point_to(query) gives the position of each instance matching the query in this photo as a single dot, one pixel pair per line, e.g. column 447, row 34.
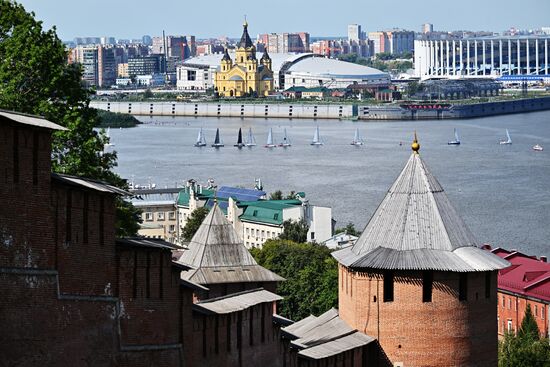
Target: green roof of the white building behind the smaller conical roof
column 266, row 211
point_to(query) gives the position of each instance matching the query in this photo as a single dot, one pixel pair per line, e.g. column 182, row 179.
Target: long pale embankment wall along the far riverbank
column 409, row 111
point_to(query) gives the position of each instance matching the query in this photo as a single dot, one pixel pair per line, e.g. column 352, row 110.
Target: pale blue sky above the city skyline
column 215, row 18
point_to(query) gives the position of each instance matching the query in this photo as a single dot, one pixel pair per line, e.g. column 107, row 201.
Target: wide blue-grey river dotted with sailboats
column 501, row 191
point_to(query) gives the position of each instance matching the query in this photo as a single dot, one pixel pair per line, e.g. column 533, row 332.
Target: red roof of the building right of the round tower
column 527, row 276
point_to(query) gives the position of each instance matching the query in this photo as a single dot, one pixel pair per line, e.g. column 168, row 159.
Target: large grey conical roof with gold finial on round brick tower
column 417, row 228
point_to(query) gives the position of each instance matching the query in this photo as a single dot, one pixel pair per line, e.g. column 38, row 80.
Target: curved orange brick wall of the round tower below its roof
column 443, row 332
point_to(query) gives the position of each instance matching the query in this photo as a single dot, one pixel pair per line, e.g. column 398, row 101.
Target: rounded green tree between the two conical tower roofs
column 311, row 274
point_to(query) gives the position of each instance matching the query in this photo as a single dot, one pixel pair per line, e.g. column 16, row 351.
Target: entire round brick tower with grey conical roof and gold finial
column 416, row 280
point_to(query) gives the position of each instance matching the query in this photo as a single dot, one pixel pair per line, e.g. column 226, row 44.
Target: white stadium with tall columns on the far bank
column 482, row 56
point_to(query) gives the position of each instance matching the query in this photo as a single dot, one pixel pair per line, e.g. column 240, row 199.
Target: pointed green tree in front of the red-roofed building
column 527, row 348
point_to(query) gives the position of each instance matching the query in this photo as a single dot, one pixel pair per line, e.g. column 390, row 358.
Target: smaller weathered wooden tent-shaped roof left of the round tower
column 217, row 255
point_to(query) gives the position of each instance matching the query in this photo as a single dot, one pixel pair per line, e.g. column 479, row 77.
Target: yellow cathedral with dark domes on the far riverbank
column 244, row 77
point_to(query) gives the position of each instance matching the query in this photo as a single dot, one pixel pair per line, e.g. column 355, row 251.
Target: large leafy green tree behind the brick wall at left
column 35, row 78
